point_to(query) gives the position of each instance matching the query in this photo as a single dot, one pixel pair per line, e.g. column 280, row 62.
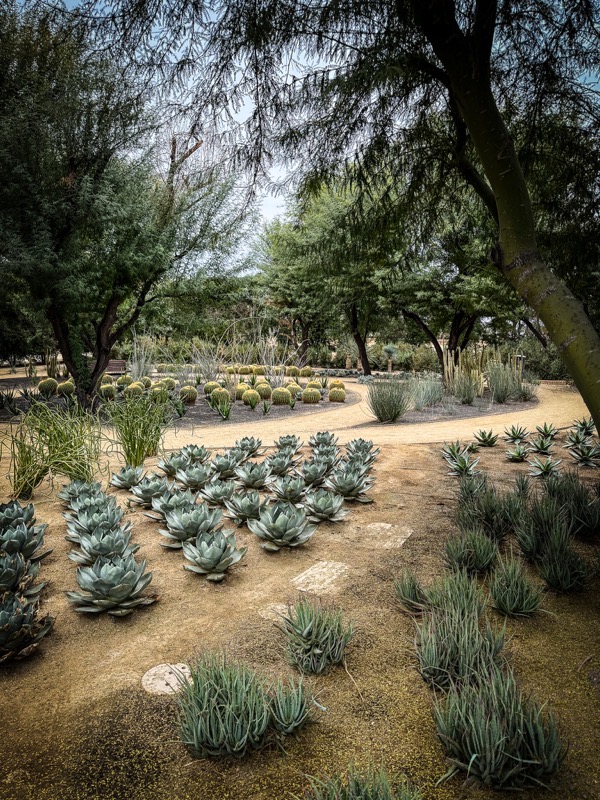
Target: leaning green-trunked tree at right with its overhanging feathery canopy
column 374, row 79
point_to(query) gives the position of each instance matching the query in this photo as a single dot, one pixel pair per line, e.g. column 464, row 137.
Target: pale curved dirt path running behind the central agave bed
column 558, row 404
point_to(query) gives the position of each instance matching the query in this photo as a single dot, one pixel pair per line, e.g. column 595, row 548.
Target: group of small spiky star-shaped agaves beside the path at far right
column 578, row 442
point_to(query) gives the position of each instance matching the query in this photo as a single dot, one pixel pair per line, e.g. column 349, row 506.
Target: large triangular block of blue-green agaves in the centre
column 299, row 495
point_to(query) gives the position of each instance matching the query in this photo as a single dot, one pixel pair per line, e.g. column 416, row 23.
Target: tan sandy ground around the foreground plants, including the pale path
column 76, row 724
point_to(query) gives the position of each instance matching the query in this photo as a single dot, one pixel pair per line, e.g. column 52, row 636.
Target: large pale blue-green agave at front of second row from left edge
column 114, row 585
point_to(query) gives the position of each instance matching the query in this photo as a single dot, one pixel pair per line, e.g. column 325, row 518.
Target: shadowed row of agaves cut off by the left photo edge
column 22, row 627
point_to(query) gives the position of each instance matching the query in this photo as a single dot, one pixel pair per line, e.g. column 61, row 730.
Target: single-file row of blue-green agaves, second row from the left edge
column 108, row 574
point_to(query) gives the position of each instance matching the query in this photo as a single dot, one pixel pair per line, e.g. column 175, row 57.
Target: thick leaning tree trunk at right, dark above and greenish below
column 466, row 61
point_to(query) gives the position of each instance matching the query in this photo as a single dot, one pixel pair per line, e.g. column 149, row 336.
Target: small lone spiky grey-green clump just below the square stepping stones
column 317, row 635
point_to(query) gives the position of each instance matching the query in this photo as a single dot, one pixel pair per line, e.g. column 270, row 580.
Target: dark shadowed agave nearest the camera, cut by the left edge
column 21, row 630
